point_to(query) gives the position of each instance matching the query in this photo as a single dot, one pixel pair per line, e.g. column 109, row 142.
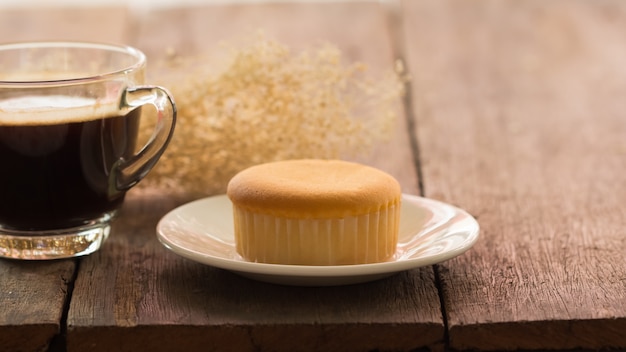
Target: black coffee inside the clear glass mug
column 57, row 173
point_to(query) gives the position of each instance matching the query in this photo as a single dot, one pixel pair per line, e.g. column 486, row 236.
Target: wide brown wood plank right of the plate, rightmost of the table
column 520, row 120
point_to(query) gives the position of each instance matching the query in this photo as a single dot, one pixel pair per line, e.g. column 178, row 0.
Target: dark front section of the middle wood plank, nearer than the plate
column 135, row 294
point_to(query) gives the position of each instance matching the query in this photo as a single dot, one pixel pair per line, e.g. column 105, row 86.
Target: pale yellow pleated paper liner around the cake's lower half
column 368, row 238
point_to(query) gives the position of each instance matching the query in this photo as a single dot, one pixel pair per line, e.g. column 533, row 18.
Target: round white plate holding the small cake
column 430, row 232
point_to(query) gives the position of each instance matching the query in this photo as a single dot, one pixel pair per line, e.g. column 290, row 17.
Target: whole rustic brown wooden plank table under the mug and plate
column 516, row 112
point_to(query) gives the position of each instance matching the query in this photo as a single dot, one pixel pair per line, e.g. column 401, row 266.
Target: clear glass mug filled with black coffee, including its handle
column 69, row 124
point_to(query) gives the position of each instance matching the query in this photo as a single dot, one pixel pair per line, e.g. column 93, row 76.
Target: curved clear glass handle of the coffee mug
column 130, row 171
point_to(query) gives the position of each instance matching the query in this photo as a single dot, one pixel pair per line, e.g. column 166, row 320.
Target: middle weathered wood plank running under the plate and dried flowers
column 136, row 294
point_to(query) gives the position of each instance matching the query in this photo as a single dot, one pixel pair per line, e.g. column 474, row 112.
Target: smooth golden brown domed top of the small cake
column 313, row 188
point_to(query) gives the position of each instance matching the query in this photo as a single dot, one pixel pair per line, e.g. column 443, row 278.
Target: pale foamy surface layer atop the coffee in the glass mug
column 52, row 109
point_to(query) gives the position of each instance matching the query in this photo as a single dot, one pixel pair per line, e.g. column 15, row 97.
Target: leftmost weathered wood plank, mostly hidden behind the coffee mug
column 34, row 294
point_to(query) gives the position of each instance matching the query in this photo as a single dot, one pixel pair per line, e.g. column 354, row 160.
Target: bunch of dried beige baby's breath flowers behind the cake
column 267, row 103
